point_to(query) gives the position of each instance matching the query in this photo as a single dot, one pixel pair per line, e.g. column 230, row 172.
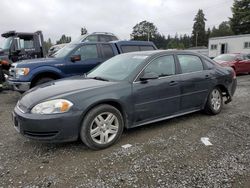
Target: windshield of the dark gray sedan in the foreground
column 118, row 68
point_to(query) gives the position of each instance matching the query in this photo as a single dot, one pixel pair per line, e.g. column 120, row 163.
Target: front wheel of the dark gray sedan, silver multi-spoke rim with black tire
column 101, row 127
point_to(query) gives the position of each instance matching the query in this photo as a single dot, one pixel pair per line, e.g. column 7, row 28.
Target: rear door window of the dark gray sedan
column 190, row 63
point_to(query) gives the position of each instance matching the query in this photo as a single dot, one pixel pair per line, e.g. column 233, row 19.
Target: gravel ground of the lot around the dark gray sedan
column 165, row 154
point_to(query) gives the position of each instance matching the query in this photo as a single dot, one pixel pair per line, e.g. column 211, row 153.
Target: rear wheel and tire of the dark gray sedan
column 214, row 102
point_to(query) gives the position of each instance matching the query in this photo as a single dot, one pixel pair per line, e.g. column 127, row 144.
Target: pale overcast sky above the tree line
column 57, row 17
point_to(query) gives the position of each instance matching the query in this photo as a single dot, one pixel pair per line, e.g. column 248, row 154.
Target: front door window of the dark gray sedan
column 162, row 66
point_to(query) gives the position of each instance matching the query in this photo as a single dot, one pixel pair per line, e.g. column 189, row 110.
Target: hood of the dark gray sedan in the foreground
column 59, row 89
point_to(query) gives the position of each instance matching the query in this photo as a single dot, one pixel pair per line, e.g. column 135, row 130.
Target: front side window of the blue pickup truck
column 87, row 52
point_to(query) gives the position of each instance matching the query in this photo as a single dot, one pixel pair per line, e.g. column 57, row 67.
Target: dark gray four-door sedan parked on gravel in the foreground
column 128, row 90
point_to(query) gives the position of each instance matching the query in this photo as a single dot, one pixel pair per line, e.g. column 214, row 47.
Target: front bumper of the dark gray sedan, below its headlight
column 48, row 128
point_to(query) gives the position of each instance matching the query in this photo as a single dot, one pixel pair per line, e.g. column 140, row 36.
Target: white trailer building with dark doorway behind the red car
column 229, row 44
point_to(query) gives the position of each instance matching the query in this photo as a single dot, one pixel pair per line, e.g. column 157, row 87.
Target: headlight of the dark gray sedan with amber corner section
column 52, row 107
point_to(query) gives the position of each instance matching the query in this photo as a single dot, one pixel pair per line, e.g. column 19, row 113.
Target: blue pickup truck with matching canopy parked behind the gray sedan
column 73, row 59
